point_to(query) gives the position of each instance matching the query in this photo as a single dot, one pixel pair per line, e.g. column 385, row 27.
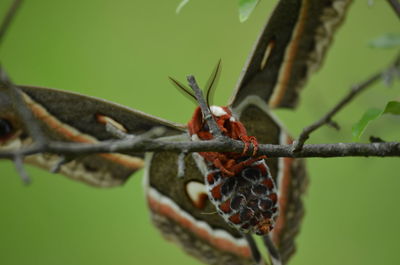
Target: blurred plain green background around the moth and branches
column 123, row 51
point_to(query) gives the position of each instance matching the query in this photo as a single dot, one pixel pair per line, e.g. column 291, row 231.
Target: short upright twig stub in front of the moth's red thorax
column 214, row 129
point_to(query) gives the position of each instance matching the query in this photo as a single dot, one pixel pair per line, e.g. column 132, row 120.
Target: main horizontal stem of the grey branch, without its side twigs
column 154, row 145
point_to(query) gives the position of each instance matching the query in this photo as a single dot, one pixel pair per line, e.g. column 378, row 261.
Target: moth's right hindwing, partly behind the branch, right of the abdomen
column 289, row 174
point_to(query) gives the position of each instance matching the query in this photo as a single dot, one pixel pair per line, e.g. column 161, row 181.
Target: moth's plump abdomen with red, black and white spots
column 247, row 200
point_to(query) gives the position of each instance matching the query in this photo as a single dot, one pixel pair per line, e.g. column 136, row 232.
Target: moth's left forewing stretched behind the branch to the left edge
column 71, row 117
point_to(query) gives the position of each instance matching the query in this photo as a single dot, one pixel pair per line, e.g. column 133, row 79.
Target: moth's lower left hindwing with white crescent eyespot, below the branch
column 181, row 210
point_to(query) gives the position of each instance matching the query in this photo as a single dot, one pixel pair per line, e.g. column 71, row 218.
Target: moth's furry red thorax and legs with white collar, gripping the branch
column 230, row 127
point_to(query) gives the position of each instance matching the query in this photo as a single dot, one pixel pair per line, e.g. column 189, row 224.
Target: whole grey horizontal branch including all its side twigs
column 147, row 143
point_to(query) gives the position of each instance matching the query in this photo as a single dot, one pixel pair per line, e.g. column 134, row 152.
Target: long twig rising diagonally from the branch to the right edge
column 327, row 118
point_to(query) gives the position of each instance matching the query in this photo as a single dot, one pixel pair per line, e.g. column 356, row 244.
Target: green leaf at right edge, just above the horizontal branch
column 392, row 107
